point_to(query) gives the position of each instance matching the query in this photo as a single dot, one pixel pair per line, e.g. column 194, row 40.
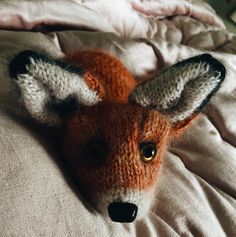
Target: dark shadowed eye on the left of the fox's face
column 95, row 152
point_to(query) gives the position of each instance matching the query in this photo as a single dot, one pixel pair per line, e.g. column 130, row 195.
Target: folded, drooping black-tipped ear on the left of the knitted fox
column 48, row 86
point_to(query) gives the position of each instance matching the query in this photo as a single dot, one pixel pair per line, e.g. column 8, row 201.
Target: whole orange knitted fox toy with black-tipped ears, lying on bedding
column 117, row 136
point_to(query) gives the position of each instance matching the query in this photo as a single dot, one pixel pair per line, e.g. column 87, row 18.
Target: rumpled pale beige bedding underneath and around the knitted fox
column 196, row 194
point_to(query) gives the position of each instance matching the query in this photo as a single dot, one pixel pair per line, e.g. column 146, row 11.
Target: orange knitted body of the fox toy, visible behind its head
column 105, row 74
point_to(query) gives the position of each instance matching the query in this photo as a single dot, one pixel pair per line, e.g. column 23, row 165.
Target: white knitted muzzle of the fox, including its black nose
column 120, row 204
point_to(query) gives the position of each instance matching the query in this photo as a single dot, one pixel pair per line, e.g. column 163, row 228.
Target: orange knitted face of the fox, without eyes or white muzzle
column 123, row 127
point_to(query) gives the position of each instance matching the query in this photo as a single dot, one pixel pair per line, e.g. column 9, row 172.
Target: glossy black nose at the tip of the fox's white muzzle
column 122, row 211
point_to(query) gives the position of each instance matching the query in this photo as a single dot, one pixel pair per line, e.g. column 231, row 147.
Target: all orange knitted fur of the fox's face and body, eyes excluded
column 124, row 126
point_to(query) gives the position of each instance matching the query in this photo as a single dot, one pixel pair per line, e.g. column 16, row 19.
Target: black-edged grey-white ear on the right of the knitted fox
column 182, row 89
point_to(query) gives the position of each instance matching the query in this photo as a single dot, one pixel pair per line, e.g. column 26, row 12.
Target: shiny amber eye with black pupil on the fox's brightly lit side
column 148, row 151
